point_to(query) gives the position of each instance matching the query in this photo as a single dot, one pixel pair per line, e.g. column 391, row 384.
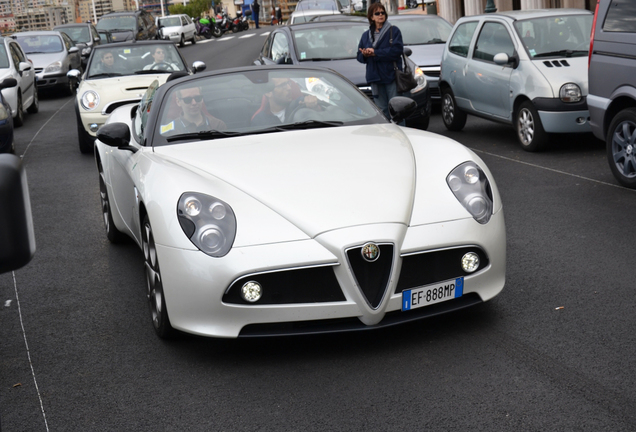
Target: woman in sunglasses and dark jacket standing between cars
column 380, row 48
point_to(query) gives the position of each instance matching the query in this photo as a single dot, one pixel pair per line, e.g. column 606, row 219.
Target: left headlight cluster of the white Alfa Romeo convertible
column 208, row 222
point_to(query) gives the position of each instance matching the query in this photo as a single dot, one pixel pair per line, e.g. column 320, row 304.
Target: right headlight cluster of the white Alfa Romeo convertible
column 471, row 187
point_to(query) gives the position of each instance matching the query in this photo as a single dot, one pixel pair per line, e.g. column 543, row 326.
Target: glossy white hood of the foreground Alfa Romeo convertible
column 369, row 180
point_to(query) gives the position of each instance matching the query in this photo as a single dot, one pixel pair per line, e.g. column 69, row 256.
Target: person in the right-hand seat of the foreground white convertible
column 279, row 104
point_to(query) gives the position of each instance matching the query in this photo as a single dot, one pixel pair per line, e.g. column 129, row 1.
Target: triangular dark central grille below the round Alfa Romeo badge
column 372, row 277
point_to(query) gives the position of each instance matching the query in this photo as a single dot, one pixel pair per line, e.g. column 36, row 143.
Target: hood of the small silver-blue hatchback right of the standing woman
column 559, row 71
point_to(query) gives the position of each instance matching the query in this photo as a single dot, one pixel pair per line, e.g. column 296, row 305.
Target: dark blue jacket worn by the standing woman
column 388, row 50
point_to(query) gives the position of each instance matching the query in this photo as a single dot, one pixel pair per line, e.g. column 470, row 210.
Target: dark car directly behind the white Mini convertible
column 128, row 25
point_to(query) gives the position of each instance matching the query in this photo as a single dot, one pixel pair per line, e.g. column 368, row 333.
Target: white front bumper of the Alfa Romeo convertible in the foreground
column 195, row 284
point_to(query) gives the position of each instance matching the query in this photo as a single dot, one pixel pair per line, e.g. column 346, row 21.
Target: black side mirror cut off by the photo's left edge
column 17, row 237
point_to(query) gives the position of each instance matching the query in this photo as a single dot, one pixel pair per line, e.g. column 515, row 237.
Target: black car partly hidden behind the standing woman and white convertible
column 334, row 44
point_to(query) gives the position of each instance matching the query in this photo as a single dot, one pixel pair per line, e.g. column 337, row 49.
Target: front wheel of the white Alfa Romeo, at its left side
column 154, row 285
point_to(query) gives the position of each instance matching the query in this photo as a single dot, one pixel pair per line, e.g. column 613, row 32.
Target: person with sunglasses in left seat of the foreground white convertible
column 193, row 117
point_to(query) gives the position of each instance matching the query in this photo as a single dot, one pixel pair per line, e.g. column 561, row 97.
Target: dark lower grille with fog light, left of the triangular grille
column 306, row 285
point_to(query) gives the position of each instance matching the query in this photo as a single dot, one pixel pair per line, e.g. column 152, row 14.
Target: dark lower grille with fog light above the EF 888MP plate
column 429, row 267
